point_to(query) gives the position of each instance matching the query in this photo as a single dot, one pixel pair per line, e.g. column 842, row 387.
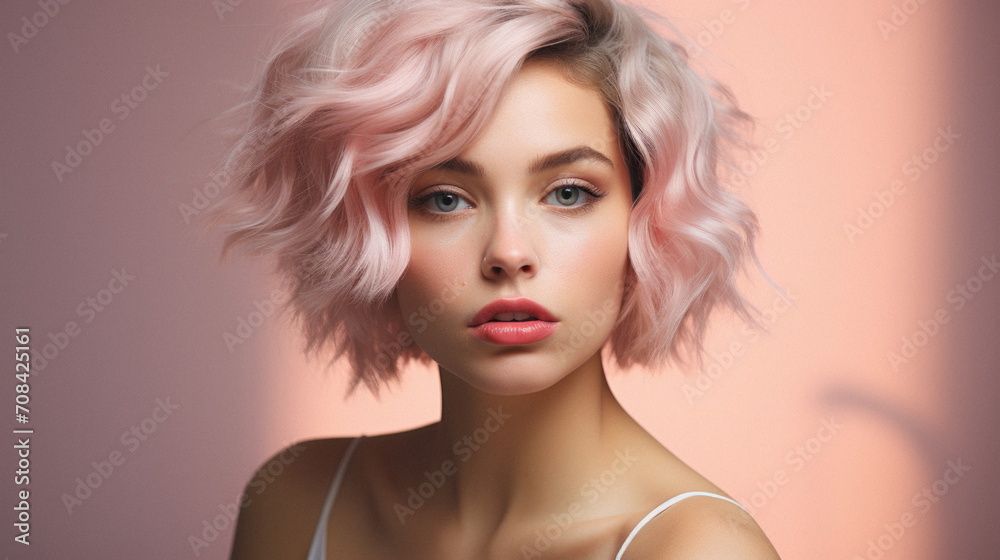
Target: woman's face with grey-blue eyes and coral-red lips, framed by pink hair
column 536, row 208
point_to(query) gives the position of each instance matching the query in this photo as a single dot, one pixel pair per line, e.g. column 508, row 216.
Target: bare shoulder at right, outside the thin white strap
column 702, row 528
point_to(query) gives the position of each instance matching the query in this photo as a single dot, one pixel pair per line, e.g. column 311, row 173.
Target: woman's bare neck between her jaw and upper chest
column 526, row 453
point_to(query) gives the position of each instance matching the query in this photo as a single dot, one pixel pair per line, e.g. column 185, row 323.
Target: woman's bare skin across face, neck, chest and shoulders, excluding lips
column 567, row 459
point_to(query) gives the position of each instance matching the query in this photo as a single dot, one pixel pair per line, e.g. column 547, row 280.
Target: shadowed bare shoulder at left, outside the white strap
column 282, row 501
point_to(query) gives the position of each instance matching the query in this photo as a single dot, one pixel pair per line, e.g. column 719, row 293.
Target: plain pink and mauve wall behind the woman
column 753, row 426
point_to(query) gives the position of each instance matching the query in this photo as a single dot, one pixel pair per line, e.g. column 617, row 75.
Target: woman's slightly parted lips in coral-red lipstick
column 513, row 322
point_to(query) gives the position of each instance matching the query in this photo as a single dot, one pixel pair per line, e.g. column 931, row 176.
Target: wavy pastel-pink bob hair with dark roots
column 359, row 96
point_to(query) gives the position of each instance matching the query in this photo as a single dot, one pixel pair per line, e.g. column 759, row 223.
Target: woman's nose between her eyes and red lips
column 509, row 252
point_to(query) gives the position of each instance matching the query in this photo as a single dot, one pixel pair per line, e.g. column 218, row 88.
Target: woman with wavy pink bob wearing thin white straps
column 505, row 188
